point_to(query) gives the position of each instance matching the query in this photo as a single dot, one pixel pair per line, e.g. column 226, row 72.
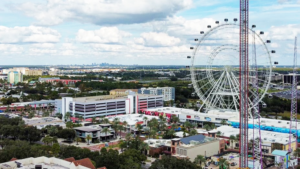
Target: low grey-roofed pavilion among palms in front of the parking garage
column 95, row 132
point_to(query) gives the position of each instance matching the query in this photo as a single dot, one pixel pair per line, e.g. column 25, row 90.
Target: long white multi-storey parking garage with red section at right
column 96, row 106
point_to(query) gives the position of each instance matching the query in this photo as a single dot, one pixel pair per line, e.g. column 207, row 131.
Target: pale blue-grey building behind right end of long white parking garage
column 167, row 92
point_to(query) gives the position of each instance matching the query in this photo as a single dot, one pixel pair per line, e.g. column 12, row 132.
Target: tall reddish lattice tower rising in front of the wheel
column 244, row 80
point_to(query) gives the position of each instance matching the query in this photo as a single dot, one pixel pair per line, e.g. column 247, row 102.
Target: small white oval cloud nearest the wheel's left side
column 157, row 39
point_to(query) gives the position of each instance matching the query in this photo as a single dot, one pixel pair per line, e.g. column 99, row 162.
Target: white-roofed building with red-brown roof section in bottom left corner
column 45, row 162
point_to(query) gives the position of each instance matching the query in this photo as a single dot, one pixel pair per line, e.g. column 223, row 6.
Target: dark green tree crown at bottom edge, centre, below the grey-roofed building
column 174, row 163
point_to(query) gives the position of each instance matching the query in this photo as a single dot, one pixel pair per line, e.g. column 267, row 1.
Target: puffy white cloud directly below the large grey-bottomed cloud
column 103, row 35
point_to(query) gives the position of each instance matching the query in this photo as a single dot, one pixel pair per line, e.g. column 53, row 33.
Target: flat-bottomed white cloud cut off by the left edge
column 31, row 34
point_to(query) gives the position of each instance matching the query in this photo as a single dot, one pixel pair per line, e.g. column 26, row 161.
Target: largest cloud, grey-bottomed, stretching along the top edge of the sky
column 107, row 12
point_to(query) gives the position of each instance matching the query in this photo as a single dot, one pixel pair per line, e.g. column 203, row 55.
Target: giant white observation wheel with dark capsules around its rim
column 215, row 67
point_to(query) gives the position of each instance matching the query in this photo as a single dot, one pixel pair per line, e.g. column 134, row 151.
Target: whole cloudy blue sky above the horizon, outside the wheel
column 144, row 32
